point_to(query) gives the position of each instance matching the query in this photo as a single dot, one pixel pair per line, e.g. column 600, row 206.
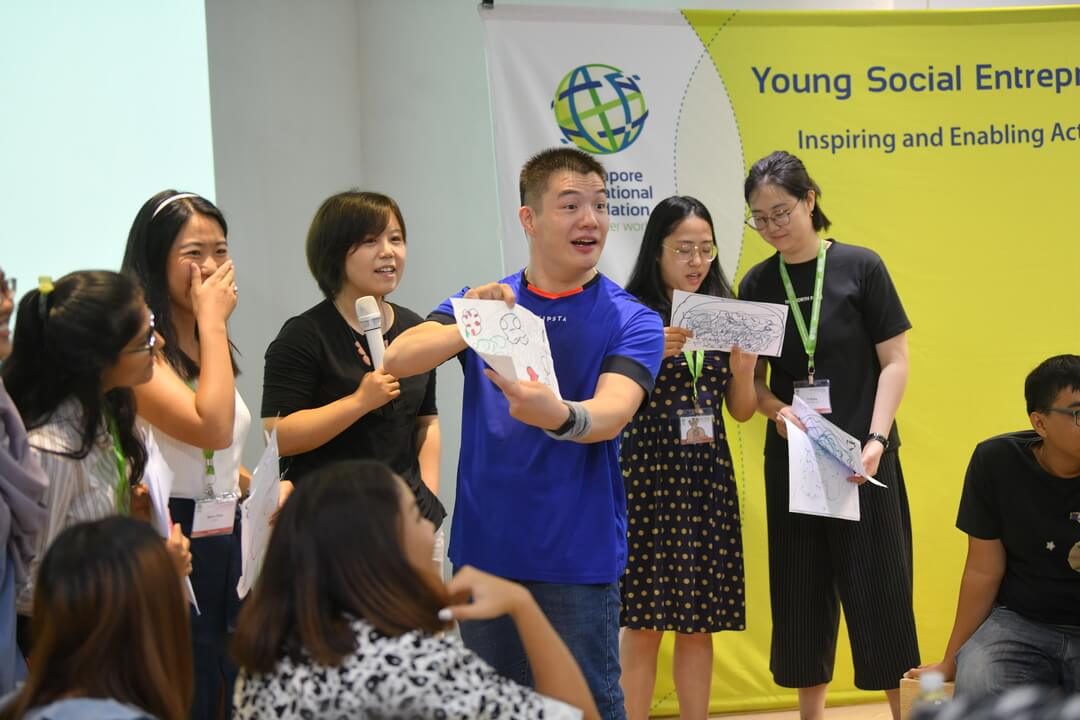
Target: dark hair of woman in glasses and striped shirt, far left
column 65, row 341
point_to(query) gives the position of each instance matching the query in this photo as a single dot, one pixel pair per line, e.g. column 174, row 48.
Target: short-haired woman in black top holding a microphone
column 320, row 390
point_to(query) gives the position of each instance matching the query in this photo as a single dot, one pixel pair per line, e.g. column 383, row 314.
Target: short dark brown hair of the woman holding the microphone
column 341, row 223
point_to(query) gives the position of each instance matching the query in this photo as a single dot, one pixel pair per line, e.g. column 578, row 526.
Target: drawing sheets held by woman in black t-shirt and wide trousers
column 820, row 463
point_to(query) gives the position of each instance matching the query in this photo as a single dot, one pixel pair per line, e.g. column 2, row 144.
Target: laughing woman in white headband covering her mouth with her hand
column 179, row 252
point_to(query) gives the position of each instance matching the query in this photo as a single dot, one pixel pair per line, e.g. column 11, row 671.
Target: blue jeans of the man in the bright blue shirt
column 586, row 617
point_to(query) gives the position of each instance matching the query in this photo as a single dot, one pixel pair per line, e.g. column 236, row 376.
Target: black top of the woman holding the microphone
column 314, row 362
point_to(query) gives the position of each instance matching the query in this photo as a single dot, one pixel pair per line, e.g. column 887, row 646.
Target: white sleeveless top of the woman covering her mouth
column 188, row 465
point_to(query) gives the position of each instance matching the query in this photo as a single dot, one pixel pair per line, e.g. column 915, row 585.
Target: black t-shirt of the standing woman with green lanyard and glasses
column 860, row 308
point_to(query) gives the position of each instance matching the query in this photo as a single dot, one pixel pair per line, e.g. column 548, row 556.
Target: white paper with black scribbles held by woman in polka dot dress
column 722, row 323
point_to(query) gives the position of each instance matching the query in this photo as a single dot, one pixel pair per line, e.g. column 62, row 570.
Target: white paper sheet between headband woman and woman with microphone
column 256, row 514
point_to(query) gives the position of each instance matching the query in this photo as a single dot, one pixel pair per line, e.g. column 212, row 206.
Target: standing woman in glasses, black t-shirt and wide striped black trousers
column 846, row 356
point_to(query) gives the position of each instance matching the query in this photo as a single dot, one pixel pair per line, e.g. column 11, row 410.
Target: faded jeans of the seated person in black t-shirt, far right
column 1008, row 650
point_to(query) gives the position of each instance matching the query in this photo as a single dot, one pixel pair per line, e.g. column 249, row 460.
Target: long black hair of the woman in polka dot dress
column 646, row 282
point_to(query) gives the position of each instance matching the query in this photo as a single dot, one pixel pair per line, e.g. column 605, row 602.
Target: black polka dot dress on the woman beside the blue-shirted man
column 685, row 566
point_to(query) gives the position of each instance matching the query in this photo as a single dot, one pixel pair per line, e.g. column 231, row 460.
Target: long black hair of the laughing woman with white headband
column 146, row 259
